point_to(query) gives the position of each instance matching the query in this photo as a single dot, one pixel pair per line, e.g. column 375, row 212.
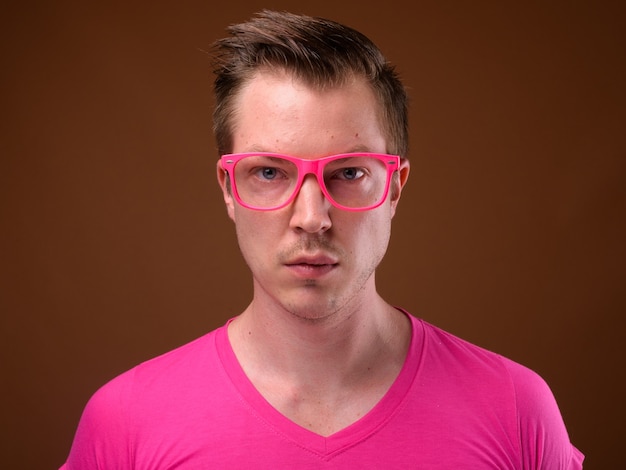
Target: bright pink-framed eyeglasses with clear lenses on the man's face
column 351, row 181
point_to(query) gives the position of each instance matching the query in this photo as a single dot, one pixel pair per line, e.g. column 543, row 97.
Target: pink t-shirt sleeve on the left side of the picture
column 102, row 437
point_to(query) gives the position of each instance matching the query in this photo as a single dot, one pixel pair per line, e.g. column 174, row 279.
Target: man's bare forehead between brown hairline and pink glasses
column 278, row 112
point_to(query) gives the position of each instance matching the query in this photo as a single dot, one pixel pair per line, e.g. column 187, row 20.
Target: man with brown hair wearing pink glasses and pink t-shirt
column 319, row 371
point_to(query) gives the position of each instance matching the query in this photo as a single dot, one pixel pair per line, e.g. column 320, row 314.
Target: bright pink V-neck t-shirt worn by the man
column 453, row 406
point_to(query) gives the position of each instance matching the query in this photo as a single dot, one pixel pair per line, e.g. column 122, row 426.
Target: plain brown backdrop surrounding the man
column 115, row 245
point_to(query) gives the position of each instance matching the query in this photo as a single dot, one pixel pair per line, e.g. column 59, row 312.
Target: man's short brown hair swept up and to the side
column 316, row 50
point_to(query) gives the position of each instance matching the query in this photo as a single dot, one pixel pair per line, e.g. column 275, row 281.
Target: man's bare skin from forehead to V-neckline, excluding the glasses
column 317, row 340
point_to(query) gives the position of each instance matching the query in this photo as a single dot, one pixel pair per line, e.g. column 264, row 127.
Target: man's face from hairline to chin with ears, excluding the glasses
column 310, row 258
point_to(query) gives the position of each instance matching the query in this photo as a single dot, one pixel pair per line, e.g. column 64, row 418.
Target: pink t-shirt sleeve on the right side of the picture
column 544, row 440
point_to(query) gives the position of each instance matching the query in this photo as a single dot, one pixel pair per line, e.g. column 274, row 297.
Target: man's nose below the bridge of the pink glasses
column 310, row 208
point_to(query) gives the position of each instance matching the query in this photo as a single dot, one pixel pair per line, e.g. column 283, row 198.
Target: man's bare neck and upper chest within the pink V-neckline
column 325, row 373
